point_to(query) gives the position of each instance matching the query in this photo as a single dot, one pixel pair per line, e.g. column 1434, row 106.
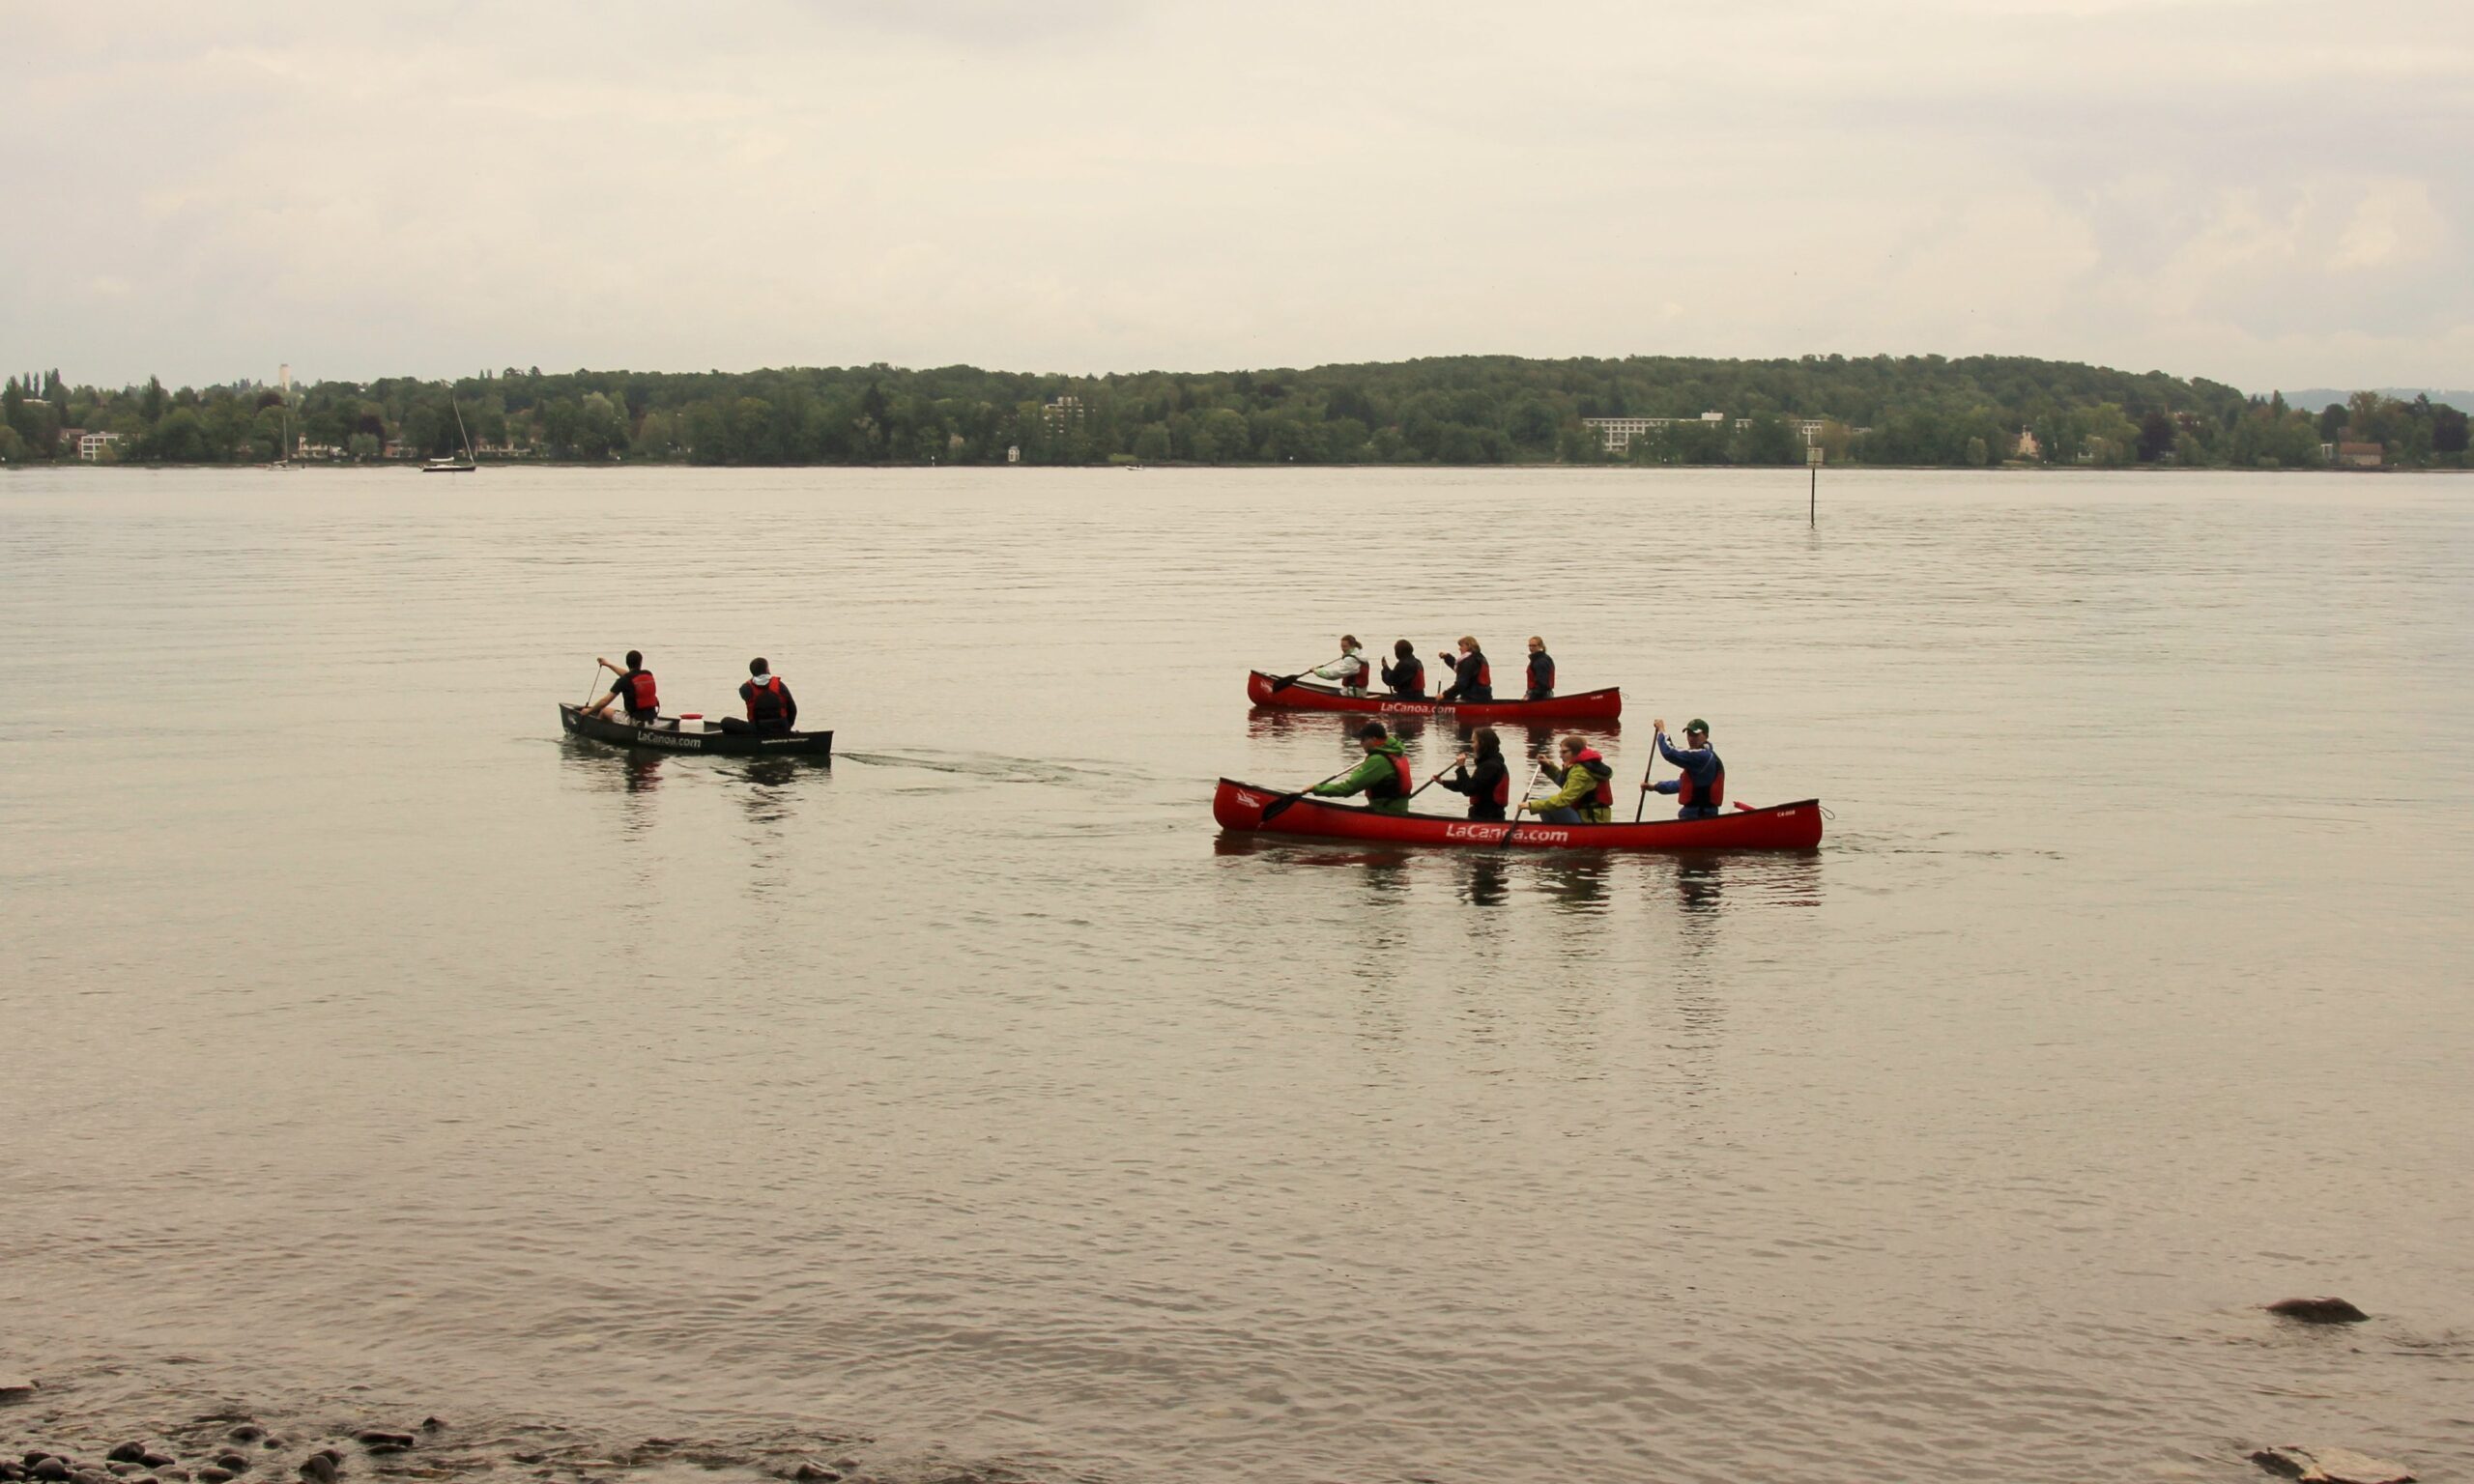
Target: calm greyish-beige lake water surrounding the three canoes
column 976, row 1097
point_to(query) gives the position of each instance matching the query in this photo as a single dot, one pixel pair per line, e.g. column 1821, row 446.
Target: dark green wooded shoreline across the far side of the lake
column 1453, row 409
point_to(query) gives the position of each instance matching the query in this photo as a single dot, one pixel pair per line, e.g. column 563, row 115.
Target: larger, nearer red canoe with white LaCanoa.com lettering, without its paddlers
column 1783, row 827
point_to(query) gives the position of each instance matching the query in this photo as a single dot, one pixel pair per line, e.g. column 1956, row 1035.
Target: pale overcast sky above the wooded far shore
column 2243, row 189
